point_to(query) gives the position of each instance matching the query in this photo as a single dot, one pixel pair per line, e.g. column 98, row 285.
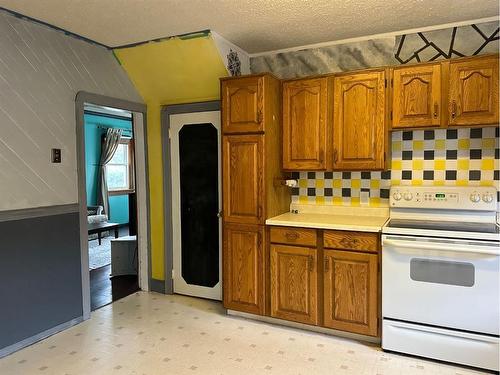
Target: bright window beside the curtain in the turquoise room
column 119, row 170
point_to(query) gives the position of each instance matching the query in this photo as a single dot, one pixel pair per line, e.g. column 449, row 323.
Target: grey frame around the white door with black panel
column 166, row 111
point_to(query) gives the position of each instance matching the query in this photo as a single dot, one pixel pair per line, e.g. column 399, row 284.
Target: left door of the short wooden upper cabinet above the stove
column 416, row 99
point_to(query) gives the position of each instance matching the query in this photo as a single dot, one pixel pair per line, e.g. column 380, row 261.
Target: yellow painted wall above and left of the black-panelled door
column 172, row 71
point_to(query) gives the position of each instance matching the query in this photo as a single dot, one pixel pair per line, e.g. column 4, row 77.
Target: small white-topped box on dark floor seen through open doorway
column 124, row 256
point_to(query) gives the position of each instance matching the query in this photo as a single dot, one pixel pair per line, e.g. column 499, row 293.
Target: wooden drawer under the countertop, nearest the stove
column 361, row 241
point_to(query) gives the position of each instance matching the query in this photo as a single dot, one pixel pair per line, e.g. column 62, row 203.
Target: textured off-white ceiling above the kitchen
column 254, row 25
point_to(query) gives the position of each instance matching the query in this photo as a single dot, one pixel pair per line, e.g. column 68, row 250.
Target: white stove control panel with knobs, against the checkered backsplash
column 459, row 198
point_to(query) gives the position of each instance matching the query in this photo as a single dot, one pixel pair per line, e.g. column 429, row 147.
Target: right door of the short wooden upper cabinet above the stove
column 473, row 98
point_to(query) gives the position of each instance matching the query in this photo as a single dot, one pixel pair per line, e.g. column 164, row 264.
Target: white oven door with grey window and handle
column 441, row 282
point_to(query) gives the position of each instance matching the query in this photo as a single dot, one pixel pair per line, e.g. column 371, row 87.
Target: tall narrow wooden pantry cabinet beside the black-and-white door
column 251, row 161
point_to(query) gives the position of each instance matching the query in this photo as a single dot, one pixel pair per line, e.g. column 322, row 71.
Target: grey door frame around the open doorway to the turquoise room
column 139, row 112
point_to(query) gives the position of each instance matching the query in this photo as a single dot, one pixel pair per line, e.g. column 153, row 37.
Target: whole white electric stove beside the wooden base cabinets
column 440, row 275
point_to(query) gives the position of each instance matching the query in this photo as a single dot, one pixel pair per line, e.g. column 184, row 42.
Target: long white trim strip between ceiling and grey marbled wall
column 376, row 36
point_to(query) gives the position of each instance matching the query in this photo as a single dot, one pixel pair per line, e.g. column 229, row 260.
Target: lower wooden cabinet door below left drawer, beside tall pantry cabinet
column 294, row 284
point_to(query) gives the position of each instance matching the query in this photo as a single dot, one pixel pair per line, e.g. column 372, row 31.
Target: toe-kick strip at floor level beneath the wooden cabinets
column 307, row 327
